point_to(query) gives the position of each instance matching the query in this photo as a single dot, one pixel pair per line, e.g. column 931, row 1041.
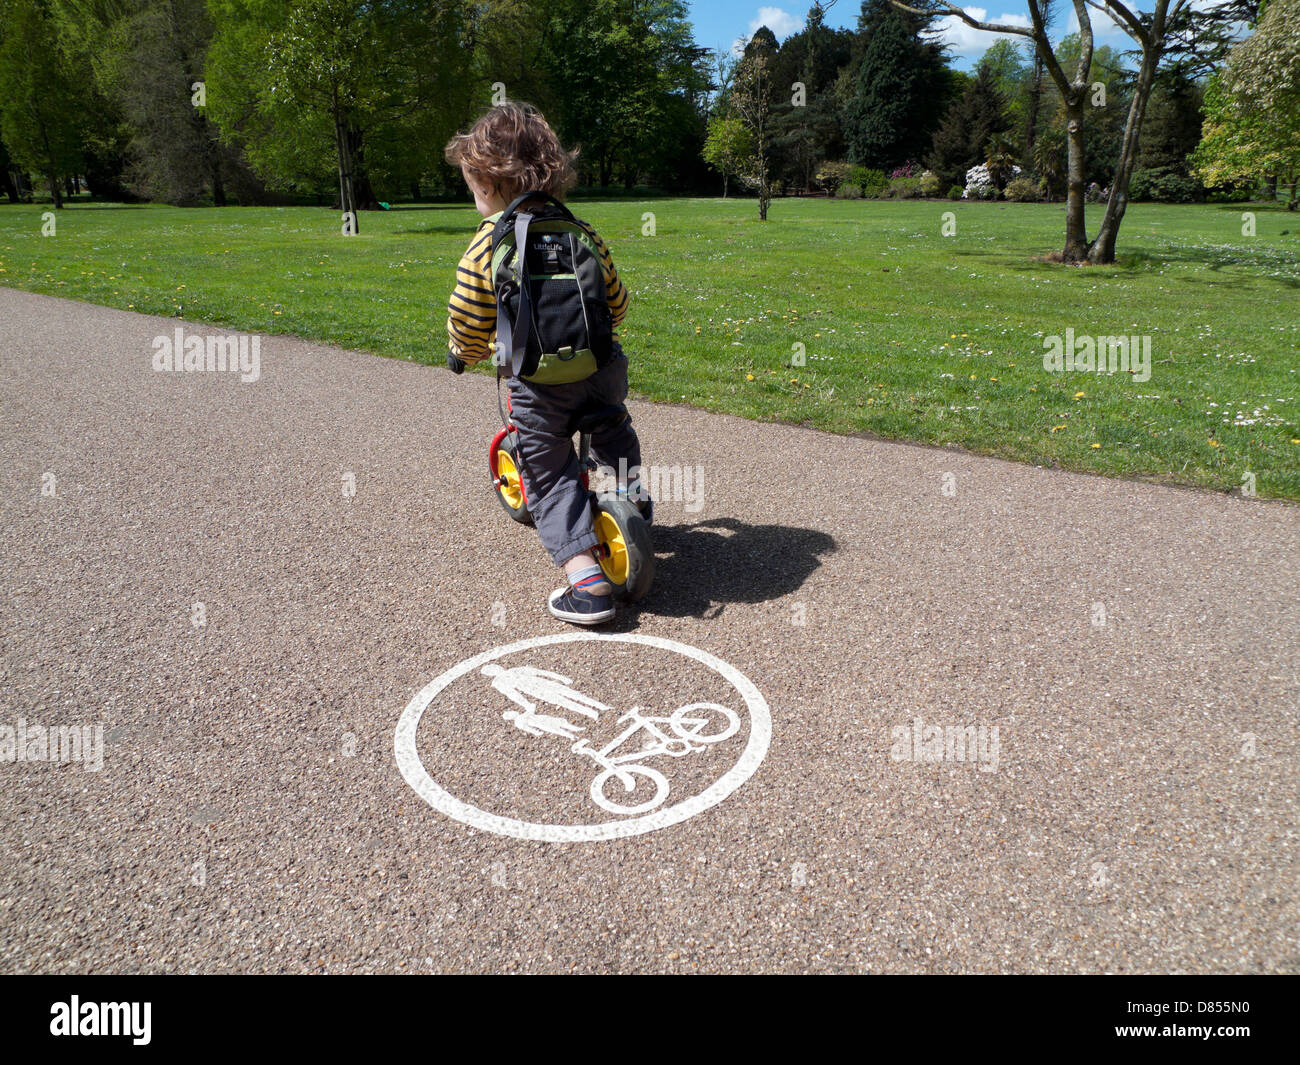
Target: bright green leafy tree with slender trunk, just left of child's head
column 366, row 90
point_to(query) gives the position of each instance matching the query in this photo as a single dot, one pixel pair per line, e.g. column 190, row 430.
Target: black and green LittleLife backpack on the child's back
column 553, row 318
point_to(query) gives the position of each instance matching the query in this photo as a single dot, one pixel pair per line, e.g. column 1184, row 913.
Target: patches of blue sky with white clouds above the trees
column 721, row 23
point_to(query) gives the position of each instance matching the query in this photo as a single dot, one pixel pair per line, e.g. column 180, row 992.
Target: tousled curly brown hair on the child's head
column 513, row 149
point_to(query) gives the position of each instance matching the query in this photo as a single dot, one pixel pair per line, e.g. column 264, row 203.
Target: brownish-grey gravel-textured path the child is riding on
column 1117, row 668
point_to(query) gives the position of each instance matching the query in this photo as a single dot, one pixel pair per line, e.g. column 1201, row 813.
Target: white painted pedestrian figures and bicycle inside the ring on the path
column 690, row 729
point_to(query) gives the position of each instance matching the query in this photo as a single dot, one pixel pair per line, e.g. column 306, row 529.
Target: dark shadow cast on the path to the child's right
column 703, row 568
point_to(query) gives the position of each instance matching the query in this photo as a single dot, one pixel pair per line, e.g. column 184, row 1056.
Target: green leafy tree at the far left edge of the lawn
column 45, row 110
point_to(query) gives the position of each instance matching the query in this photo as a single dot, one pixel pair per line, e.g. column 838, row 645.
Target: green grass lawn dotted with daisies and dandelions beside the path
column 908, row 334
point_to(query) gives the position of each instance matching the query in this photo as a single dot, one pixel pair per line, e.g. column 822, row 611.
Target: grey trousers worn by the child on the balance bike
column 545, row 415
